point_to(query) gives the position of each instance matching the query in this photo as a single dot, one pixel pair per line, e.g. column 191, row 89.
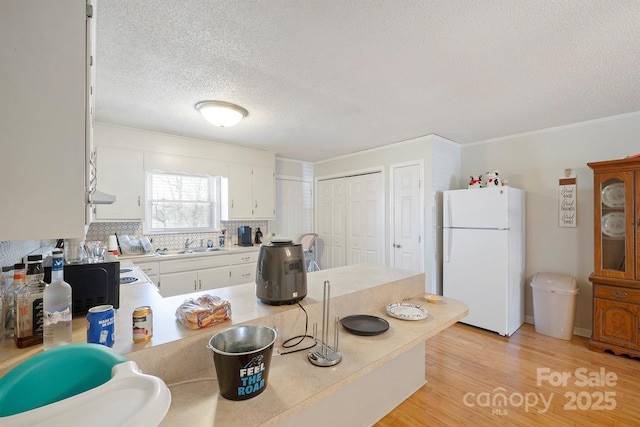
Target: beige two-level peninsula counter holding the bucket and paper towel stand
column 389, row 366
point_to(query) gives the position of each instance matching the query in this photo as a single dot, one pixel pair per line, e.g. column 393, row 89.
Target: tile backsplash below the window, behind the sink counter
column 102, row 230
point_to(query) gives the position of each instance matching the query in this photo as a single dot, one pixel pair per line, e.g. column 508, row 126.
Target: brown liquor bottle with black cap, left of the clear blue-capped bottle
column 29, row 303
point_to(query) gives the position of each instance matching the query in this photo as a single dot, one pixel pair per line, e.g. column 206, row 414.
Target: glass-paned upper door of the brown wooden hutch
column 614, row 225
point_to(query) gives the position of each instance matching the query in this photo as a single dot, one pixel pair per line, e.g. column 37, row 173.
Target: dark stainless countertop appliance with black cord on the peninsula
column 281, row 277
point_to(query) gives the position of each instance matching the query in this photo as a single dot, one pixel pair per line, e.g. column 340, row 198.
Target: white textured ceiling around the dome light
column 323, row 78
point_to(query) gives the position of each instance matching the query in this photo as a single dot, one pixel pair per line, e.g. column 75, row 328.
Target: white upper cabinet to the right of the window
column 251, row 193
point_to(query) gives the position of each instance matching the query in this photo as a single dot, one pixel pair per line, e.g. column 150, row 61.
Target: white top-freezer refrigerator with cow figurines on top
column 483, row 255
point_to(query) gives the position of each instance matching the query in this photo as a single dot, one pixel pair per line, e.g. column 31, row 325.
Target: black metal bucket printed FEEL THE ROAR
column 242, row 356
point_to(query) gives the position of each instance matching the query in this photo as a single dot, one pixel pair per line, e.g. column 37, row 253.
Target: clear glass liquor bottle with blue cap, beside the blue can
column 57, row 306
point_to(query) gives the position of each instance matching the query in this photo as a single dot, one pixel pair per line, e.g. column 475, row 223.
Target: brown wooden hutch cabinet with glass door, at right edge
column 616, row 276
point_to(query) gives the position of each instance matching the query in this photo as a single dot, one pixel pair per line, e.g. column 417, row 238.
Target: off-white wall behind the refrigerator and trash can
column 534, row 162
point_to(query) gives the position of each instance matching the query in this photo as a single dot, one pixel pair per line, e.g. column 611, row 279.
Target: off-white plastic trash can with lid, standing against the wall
column 554, row 304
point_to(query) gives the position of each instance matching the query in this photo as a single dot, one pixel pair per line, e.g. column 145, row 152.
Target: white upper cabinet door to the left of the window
column 120, row 172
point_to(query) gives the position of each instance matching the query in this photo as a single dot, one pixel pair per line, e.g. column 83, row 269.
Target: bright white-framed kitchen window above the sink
column 182, row 203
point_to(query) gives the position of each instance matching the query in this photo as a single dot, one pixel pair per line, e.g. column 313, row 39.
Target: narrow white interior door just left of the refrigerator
column 407, row 219
